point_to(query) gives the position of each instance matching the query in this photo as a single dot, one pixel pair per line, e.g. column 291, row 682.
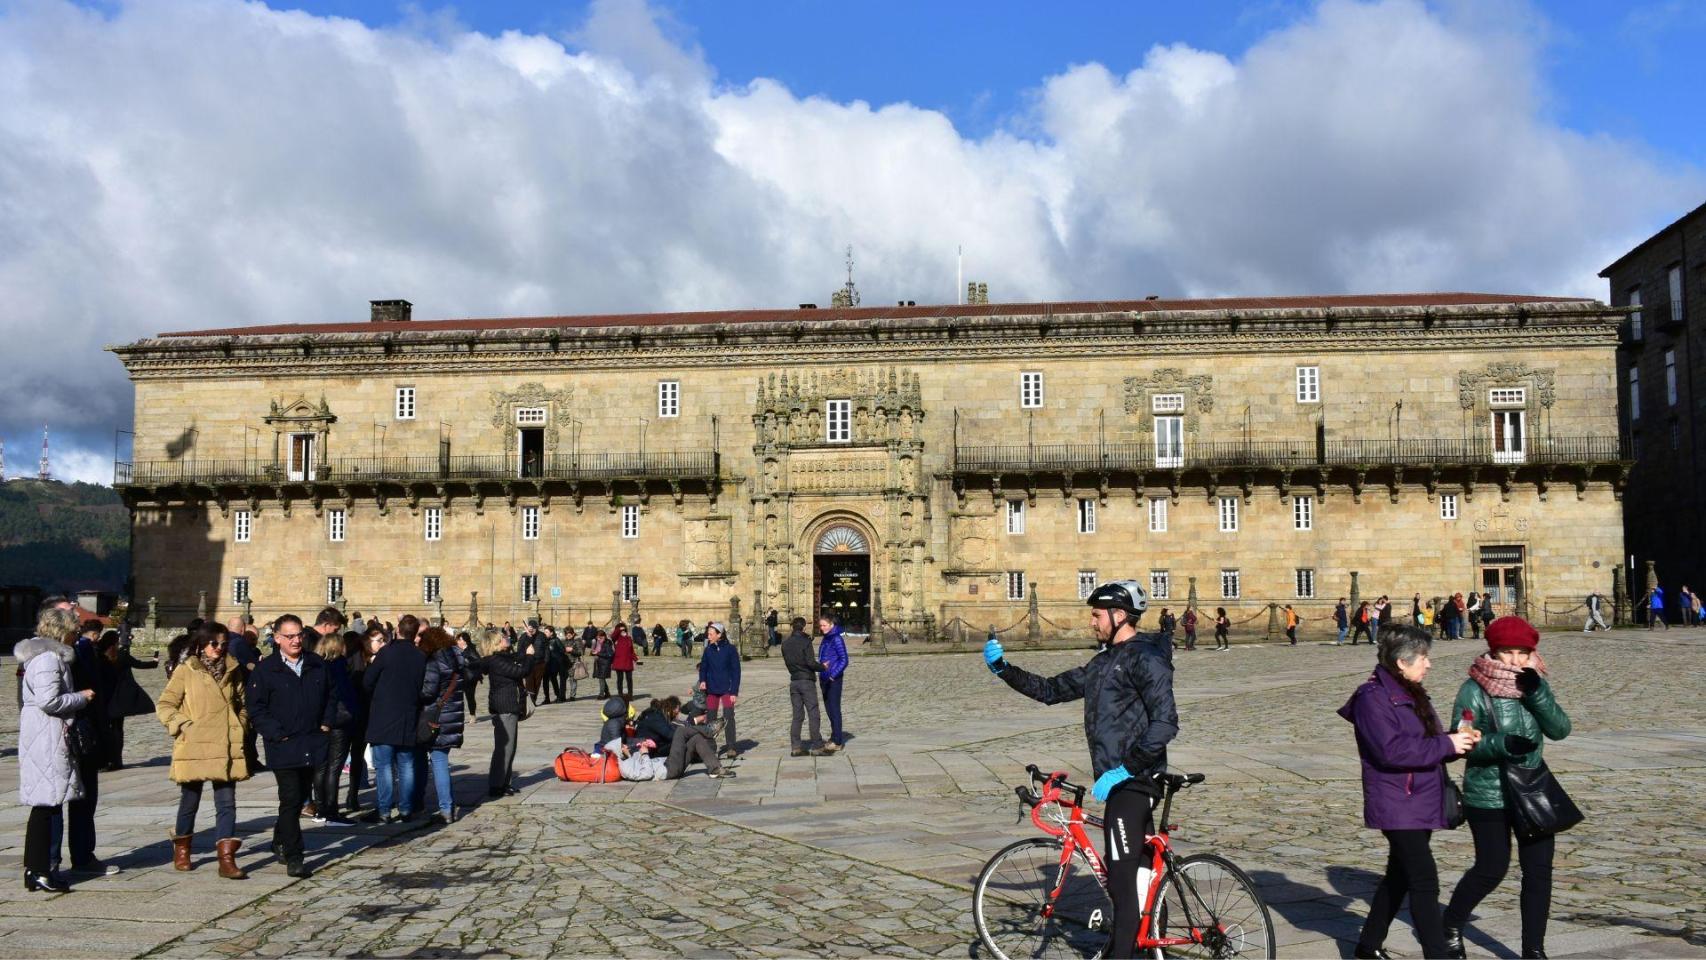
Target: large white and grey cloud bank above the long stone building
column 209, row 163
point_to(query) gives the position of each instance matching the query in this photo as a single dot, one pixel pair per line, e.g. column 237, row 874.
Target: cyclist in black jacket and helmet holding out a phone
column 1129, row 719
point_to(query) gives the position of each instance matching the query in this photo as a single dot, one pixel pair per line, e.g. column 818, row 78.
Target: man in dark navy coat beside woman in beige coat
column 293, row 707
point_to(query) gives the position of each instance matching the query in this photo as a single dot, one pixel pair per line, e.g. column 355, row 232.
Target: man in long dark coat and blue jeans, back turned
column 393, row 683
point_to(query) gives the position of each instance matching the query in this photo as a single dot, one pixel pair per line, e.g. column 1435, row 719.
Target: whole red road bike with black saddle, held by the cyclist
column 1048, row 896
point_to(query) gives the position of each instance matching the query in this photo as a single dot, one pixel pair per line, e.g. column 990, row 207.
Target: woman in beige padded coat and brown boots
column 204, row 712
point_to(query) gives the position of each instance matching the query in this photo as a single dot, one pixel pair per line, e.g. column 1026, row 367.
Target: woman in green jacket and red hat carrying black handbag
column 1511, row 683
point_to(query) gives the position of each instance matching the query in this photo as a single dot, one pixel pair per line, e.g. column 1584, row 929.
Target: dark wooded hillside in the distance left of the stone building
column 62, row 536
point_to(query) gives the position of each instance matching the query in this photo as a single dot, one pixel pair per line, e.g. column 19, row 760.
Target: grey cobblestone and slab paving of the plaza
column 874, row 852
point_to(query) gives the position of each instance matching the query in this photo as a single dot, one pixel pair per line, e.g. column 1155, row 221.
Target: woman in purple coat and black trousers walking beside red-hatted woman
column 1405, row 753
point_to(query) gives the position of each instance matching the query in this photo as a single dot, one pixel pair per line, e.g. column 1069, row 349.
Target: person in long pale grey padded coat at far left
column 47, row 763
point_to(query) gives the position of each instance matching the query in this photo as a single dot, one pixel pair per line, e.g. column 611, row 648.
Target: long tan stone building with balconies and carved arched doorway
column 922, row 471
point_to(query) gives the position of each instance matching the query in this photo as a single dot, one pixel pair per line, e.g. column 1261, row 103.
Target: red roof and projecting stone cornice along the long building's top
column 1195, row 333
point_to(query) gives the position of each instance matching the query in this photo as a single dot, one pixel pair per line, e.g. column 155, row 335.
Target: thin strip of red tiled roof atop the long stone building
column 1378, row 301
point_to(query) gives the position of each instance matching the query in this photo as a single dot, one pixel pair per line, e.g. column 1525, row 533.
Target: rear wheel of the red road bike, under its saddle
column 1216, row 906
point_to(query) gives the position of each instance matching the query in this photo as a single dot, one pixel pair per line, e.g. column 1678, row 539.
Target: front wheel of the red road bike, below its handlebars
column 1021, row 917
